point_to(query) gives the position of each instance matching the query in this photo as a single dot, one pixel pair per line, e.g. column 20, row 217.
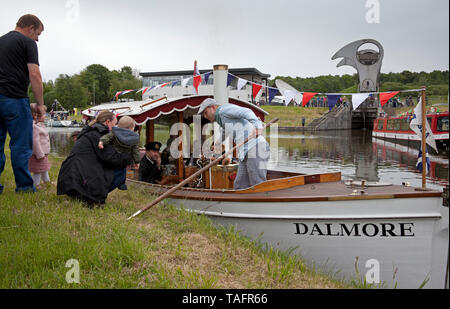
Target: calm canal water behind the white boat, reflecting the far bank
column 354, row 153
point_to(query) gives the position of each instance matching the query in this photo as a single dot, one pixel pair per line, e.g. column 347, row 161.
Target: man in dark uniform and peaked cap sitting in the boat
column 150, row 165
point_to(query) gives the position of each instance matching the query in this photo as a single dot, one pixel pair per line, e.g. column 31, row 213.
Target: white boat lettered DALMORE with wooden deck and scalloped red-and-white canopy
column 397, row 235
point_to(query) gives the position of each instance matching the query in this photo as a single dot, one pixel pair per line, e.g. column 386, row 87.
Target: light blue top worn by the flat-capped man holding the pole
column 240, row 122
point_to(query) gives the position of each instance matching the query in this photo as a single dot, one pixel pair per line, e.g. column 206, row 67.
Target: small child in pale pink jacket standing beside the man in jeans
column 39, row 164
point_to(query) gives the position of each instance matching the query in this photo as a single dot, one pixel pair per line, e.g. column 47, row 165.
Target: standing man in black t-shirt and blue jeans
column 19, row 66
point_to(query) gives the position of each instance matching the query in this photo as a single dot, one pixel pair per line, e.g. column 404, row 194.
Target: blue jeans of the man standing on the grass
column 15, row 119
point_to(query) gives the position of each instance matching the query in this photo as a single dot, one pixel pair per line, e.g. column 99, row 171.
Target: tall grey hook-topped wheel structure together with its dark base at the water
column 367, row 63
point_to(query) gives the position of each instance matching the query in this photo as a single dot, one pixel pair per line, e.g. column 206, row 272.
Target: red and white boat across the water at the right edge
column 397, row 130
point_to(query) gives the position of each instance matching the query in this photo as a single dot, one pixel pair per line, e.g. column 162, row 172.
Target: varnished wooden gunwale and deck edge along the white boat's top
column 288, row 190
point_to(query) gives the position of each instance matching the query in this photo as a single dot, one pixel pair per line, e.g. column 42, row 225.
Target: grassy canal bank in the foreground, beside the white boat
column 163, row 248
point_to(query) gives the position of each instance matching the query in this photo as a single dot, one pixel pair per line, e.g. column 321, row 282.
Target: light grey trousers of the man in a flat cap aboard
column 253, row 169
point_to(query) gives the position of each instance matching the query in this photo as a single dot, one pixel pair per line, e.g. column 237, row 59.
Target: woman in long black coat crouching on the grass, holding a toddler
column 88, row 172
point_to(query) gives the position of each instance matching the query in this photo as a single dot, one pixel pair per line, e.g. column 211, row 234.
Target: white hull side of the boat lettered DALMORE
column 407, row 238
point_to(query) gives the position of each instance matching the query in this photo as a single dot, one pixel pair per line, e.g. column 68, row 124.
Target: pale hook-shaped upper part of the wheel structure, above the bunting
column 367, row 63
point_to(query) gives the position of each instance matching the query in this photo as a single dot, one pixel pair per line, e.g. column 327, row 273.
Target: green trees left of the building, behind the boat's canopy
column 94, row 85
